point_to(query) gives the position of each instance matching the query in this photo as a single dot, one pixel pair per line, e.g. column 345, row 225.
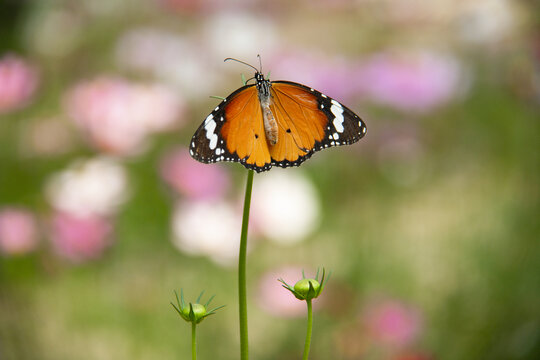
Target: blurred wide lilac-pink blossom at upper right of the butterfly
column 410, row 82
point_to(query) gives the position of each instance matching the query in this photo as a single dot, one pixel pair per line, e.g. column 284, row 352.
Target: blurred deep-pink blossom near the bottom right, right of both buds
column 392, row 323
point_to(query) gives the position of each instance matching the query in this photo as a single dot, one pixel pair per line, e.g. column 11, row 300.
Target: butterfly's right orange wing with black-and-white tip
column 309, row 121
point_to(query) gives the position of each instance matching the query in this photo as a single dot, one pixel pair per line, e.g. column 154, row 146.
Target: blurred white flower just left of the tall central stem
column 210, row 228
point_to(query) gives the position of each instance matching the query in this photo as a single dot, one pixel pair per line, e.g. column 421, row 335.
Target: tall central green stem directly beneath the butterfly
column 242, row 291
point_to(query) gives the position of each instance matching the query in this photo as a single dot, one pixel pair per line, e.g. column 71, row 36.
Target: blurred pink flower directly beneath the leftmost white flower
column 78, row 238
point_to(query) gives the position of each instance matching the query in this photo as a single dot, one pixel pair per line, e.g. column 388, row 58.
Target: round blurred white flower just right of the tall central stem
column 285, row 206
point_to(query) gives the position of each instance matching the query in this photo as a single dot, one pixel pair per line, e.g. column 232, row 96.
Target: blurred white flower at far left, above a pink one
column 92, row 187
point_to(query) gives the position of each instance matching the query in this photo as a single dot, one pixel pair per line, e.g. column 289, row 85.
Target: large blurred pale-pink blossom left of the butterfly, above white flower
column 118, row 115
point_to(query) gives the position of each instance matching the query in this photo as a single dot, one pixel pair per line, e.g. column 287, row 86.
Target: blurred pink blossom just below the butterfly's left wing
column 191, row 178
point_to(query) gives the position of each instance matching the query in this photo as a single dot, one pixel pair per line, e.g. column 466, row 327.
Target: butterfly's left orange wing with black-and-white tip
column 234, row 131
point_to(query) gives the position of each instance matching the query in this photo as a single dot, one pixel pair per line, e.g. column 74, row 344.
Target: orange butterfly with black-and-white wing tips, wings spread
column 273, row 123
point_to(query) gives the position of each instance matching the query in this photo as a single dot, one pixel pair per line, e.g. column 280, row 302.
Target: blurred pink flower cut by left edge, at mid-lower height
column 18, row 231
